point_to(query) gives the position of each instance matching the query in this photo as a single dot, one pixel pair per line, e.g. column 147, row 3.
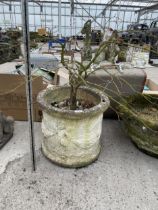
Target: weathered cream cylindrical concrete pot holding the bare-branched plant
column 72, row 137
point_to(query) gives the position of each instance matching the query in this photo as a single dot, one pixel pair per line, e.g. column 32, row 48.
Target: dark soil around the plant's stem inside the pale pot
column 81, row 104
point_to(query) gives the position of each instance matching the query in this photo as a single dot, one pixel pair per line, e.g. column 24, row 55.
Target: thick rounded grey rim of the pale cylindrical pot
column 99, row 108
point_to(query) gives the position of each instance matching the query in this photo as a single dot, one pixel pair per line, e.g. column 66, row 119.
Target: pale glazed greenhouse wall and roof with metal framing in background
column 112, row 13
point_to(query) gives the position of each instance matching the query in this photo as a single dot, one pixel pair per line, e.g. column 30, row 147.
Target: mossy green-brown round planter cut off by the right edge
column 143, row 130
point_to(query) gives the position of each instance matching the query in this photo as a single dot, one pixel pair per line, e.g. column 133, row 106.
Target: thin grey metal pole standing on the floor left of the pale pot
column 26, row 39
